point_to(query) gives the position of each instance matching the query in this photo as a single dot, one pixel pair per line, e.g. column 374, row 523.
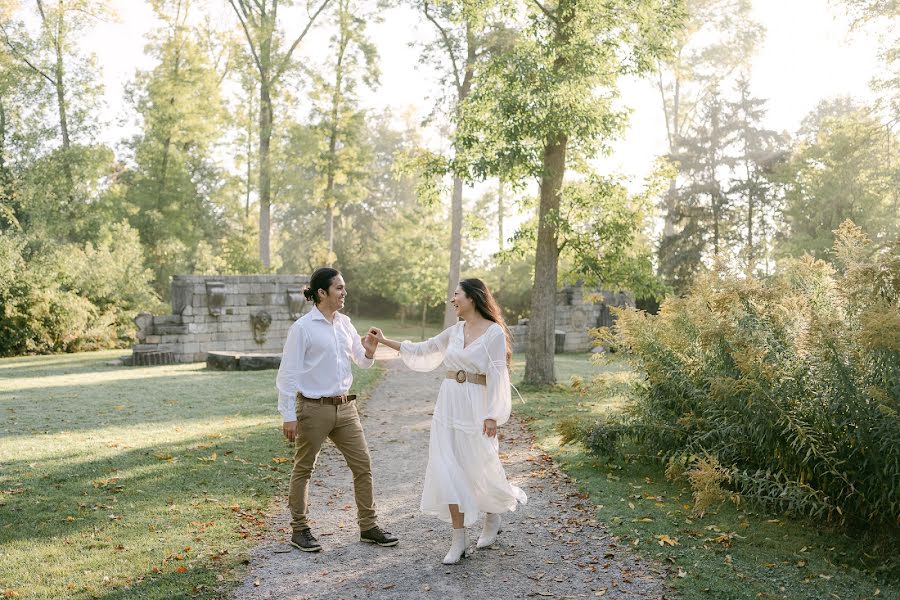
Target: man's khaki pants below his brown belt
column 315, row 422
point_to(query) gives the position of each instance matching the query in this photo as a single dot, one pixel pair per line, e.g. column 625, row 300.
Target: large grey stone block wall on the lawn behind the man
column 236, row 316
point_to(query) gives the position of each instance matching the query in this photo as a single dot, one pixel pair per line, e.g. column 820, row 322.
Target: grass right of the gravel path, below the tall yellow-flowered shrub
column 733, row 552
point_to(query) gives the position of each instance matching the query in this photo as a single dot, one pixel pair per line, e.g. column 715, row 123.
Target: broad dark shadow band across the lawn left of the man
column 153, row 484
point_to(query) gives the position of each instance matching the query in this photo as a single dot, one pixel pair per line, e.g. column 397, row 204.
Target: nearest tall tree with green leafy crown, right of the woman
column 547, row 104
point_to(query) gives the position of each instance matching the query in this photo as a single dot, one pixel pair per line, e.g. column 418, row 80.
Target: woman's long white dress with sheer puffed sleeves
column 464, row 464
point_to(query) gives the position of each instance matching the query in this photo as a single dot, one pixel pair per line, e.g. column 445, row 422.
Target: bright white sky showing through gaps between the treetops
column 808, row 55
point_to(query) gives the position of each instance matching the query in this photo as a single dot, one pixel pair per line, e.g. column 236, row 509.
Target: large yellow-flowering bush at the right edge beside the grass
column 791, row 384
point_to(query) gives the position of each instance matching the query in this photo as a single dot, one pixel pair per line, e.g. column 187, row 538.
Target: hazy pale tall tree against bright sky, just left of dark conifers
column 718, row 37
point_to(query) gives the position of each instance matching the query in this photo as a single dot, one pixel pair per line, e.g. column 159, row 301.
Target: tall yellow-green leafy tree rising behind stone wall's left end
column 182, row 113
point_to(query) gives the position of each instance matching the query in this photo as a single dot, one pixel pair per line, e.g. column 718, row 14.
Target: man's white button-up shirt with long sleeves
column 316, row 360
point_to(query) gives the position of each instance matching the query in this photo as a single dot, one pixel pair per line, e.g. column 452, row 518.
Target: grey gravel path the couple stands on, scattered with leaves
column 552, row 547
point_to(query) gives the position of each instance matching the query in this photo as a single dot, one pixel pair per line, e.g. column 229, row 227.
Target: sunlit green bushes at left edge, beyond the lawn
column 65, row 298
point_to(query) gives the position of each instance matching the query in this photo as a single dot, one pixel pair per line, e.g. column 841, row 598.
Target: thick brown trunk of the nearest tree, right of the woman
column 542, row 321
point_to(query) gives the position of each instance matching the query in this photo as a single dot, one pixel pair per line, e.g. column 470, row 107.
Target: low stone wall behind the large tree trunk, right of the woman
column 578, row 310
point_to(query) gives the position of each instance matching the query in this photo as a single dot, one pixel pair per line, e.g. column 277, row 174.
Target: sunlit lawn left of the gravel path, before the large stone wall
column 122, row 482
